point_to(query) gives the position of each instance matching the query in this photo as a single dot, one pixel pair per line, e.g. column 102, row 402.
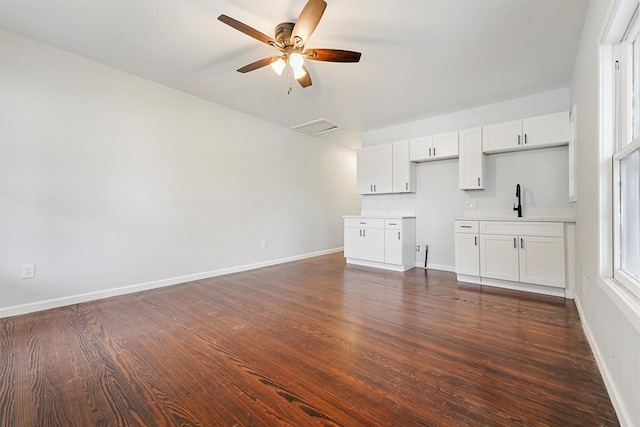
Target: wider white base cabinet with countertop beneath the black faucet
column 514, row 254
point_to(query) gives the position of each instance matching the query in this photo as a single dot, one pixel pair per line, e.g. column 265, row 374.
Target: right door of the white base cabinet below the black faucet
column 542, row 261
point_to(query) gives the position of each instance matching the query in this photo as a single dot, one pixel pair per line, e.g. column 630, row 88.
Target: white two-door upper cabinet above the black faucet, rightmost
column 534, row 132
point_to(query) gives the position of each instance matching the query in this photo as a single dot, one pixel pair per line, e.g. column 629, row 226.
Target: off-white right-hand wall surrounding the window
column 615, row 341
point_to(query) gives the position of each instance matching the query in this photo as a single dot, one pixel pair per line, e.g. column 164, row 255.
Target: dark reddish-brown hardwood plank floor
column 313, row 342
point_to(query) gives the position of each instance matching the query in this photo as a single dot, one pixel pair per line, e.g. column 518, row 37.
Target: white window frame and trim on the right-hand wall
column 616, row 142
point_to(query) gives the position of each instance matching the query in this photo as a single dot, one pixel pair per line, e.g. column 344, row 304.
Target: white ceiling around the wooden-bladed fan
column 420, row 58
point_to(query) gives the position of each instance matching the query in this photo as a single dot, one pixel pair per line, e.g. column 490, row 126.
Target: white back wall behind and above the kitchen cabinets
column 542, row 174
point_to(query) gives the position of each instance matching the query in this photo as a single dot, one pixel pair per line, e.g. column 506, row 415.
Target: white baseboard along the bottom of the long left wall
column 91, row 296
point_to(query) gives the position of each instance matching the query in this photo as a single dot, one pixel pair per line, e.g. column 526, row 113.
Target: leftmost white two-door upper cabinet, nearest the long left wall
column 375, row 169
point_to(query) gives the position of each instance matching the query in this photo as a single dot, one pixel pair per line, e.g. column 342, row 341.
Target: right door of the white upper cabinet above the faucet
column 547, row 130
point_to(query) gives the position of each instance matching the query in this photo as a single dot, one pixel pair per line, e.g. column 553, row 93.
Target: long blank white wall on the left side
column 108, row 180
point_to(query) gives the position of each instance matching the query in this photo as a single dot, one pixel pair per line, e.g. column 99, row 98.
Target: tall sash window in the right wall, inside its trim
column 624, row 152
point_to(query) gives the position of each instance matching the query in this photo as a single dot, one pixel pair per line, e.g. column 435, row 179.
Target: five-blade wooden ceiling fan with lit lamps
column 290, row 39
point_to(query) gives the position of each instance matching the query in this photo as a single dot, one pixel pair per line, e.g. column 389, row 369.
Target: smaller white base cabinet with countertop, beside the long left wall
column 380, row 242
